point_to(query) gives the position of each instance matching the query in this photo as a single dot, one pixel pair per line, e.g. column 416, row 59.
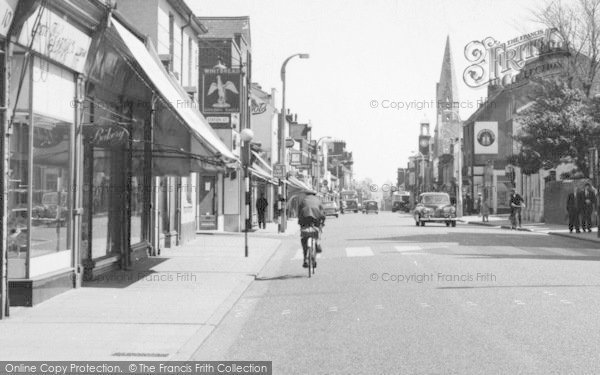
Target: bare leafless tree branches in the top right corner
column 577, row 23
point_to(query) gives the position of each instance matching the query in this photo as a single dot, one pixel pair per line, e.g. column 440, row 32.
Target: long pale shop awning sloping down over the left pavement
column 173, row 96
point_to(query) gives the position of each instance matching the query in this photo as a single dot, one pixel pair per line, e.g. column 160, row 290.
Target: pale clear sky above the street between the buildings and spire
column 366, row 54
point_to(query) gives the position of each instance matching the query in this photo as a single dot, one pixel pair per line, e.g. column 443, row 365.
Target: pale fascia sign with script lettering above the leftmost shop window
column 57, row 39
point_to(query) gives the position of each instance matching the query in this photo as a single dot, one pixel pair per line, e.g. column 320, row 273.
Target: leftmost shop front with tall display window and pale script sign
column 41, row 189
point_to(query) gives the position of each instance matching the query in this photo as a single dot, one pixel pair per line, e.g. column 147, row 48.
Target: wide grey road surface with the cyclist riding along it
column 390, row 297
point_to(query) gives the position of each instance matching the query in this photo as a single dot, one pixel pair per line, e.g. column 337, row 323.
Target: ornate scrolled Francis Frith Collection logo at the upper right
column 499, row 63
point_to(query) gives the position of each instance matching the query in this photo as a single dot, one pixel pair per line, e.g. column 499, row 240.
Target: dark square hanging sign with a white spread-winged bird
column 221, row 90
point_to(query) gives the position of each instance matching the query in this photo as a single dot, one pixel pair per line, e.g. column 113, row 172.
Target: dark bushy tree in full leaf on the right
column 558, row 127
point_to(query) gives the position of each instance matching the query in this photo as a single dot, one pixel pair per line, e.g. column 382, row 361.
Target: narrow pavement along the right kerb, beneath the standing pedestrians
column 502, row 221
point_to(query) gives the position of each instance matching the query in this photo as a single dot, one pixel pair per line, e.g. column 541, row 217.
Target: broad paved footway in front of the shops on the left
column 161, row 309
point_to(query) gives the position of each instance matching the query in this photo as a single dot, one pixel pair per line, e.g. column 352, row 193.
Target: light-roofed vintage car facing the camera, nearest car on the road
column 435, row 207
